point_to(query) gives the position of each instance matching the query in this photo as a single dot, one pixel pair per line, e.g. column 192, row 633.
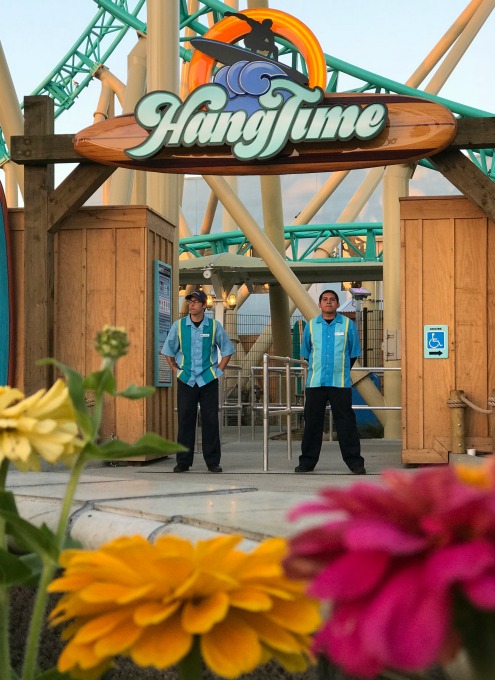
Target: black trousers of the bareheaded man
column 340, row 399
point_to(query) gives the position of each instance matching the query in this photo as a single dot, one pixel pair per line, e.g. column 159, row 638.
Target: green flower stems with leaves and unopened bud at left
column 40, row 546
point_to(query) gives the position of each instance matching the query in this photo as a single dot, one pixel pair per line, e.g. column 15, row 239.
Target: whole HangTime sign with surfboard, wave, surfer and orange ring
column 257, row 115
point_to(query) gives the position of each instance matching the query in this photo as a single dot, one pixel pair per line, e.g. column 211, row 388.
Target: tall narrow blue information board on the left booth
column 163, row 321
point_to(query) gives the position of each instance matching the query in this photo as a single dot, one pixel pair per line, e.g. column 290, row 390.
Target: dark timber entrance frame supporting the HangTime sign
column 48, row 208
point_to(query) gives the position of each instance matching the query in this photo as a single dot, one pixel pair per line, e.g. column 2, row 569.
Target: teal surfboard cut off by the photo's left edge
column 6, row 298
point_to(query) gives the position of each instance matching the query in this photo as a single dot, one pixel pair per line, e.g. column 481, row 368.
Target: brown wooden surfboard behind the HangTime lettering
column 414, row 129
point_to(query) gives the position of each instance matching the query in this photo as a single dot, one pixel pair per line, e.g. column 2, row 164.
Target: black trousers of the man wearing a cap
column 188, row 399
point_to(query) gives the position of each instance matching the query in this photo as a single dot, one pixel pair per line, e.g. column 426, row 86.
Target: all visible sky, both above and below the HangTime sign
column 387, row 37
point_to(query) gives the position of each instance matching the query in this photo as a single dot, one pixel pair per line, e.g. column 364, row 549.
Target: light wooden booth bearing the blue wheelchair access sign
column 448, row 280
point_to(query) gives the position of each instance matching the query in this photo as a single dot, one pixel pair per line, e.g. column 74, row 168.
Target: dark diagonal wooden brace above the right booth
column 469, row 179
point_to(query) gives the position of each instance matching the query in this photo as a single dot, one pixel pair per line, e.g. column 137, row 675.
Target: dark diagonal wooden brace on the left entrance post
column 74, row 191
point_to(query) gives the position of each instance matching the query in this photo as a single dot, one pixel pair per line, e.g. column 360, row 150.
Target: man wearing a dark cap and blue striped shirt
column 191, row 350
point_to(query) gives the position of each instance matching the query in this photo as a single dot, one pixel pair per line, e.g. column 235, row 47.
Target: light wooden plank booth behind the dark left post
column 104, row 274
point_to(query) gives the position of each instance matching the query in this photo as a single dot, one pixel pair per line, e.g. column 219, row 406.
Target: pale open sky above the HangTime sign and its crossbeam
column 388, row 37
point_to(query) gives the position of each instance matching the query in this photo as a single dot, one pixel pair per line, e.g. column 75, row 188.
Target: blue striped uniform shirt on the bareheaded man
column 329, row 348
